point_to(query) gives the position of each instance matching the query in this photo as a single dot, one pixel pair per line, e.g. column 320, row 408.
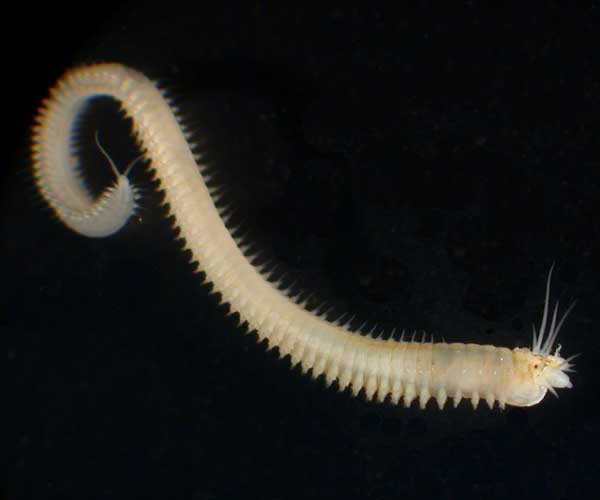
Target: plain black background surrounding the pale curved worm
column 422, row 167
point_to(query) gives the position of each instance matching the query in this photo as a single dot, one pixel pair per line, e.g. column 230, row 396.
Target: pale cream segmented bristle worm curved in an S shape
column 382, row 368
